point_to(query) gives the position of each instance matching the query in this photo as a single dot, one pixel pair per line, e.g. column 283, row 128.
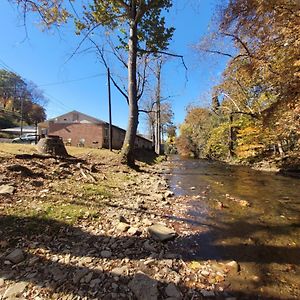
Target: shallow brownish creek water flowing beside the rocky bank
column 248, row 216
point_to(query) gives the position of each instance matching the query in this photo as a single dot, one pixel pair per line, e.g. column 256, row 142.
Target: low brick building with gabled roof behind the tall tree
column 76, row 128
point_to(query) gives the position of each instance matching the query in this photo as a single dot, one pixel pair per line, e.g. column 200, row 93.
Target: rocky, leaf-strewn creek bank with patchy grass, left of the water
column 90, row 228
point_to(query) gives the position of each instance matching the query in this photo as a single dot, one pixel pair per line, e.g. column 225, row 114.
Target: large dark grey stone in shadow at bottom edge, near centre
column 144, row 287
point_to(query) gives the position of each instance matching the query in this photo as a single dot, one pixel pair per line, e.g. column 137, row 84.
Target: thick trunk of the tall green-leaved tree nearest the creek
column 129, row 141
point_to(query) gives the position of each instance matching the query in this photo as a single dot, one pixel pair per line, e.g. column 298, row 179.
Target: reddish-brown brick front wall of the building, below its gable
column 92, row 133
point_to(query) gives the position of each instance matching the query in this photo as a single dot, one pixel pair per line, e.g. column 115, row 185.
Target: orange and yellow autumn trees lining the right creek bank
column 255, row 109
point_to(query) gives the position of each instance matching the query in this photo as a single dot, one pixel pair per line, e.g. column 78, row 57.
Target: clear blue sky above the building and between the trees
column 42, row 57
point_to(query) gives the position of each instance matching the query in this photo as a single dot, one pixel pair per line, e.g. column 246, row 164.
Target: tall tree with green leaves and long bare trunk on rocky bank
column 140, row 29
